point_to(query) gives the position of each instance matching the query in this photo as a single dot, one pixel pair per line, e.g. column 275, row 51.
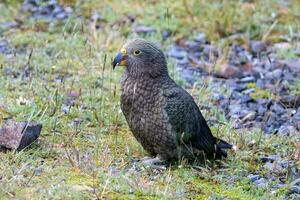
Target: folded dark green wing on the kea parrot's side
column 187, row 120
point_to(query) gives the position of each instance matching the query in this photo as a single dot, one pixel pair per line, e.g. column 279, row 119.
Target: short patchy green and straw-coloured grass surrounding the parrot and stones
column 86, row 150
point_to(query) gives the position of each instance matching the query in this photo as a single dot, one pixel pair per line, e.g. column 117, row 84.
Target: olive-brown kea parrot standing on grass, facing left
column 162, row 116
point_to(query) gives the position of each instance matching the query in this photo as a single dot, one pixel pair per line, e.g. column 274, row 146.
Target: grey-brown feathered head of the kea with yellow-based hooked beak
column 141, row 58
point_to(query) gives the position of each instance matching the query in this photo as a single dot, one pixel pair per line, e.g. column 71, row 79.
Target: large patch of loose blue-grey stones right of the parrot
column 258, row 82
